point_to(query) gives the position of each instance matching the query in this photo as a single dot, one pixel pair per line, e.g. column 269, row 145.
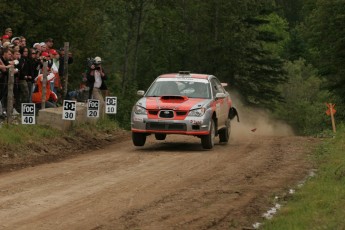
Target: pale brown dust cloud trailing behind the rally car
column 254, row 121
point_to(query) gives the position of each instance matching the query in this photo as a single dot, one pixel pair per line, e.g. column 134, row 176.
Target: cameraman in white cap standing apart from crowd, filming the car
column 96, row 80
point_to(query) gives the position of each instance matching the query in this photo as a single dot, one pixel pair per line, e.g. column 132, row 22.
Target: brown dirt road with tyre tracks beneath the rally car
column 171, row 184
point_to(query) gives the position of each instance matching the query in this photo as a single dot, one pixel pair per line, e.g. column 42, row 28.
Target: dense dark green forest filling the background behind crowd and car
column 285, row 56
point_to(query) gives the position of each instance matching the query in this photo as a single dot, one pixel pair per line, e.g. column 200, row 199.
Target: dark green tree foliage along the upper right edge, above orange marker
column 324, row 31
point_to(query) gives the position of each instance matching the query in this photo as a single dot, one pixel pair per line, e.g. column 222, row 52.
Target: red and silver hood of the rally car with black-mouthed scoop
column 181, row 103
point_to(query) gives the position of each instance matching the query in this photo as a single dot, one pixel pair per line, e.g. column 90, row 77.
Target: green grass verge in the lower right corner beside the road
column 320, row 203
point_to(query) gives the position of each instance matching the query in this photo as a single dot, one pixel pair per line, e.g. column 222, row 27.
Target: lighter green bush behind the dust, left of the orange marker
column 305, row 101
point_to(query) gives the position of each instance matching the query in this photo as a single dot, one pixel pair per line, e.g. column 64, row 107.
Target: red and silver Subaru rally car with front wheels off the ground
column 183, row 103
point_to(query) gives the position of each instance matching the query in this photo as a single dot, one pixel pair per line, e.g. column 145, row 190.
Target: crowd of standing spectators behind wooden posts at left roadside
column 27, row 61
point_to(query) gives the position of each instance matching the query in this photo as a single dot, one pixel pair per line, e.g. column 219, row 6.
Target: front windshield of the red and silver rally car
column 191, row 89
